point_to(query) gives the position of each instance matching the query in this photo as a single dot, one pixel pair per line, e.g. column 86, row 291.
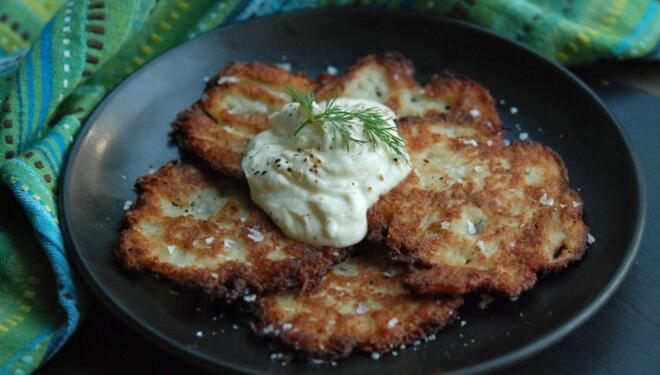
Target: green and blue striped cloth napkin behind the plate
column 59, row 59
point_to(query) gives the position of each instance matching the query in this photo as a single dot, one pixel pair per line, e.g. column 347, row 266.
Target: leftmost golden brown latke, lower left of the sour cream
column 203, row 231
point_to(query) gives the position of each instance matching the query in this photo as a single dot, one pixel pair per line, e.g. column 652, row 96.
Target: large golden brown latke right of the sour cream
column 475, row 213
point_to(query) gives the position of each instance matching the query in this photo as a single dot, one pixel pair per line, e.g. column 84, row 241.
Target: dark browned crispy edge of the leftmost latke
column 233, row 279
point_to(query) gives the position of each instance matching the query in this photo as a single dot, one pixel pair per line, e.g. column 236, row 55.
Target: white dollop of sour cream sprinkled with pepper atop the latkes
column 313, row 188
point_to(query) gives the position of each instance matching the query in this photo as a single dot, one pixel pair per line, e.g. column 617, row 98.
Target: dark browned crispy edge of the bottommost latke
column 302, row 347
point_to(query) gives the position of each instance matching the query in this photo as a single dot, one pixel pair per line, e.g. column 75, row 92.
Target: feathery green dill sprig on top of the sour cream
column 375, row 126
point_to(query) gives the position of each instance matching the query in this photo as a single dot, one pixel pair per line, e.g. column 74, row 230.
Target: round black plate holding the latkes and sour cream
column 128, row 134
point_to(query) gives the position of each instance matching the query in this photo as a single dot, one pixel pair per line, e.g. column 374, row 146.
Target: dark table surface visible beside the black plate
column 623, row 338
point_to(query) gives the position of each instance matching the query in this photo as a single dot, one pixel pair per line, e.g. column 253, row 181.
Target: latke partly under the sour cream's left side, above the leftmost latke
column 234, row 108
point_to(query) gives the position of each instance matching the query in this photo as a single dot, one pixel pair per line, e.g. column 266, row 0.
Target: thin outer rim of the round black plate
column 212, row 363
